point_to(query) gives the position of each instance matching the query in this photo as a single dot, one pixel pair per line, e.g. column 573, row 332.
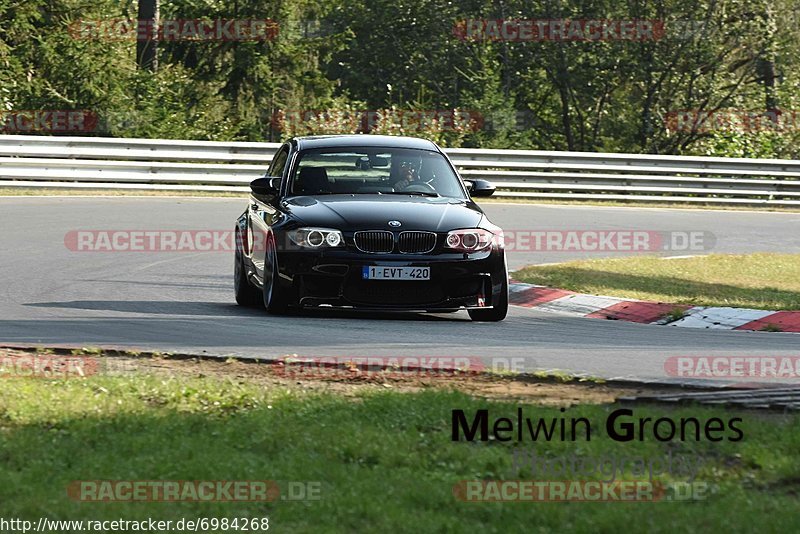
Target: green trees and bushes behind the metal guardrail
column 338, row 66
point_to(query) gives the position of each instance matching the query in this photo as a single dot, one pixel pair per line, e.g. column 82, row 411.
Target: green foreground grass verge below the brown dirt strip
column 385, row 461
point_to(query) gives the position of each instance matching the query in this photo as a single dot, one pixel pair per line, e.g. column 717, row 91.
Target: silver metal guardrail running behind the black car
column 109, row 163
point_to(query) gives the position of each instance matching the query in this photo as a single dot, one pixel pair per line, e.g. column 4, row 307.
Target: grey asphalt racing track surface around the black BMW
column 183, row 302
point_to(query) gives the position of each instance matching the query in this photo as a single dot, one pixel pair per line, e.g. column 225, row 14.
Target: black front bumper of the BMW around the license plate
column 333, row 278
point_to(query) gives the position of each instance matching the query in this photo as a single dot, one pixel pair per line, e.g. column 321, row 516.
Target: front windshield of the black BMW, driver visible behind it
column 375, row 171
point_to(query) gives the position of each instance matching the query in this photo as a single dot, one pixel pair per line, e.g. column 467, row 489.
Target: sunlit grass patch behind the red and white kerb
column 763, row 281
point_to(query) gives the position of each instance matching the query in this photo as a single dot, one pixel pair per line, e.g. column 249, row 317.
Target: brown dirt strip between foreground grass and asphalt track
column 345, row 380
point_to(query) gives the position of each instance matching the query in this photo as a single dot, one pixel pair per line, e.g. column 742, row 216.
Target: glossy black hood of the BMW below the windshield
column 344, row 212
